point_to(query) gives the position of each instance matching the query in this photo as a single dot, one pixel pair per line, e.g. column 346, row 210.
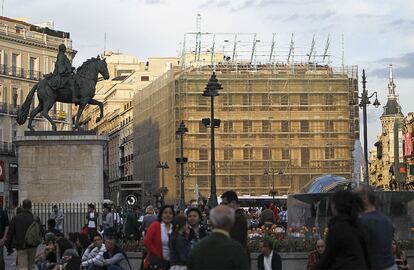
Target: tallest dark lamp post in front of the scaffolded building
column 211, row 91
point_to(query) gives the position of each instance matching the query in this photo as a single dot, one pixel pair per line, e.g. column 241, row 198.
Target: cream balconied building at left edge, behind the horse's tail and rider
column 27, row 52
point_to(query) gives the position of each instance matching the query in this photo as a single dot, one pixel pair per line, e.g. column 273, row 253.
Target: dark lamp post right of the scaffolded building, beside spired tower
column 365, row 97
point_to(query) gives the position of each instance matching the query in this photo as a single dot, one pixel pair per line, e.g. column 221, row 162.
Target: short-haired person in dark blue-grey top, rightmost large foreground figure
column 380, row 231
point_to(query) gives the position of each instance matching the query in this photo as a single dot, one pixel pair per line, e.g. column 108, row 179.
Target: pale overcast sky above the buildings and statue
column 376, row 32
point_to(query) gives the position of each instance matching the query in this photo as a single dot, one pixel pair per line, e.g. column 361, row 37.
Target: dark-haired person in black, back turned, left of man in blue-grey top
column 346, row 246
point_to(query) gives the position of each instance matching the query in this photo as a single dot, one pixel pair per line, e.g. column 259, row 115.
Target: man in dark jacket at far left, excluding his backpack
column 16, row 236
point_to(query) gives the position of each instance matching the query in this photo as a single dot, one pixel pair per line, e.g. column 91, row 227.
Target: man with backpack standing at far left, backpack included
column 18, row 233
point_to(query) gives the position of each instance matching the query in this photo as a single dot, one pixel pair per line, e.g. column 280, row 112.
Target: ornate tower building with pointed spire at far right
column 386, row 160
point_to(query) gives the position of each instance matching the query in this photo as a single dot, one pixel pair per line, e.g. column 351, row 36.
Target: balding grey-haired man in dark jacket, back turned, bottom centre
column 217, row 250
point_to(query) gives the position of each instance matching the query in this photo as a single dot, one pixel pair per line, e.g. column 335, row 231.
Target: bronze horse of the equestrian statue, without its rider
column 85, row 80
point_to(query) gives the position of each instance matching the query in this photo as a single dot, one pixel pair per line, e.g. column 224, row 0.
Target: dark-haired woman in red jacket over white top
column 156, row 239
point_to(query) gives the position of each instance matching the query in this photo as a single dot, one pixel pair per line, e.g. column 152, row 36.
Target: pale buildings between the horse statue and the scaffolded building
column 128, row 75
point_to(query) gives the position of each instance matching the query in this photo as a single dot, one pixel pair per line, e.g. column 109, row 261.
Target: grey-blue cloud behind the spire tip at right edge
column 403, row 66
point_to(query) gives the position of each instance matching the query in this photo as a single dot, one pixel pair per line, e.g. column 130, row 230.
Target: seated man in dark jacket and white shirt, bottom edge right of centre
column 268, row 259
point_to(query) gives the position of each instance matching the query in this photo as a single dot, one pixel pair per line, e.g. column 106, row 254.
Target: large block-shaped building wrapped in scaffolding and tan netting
column 294, row 119
